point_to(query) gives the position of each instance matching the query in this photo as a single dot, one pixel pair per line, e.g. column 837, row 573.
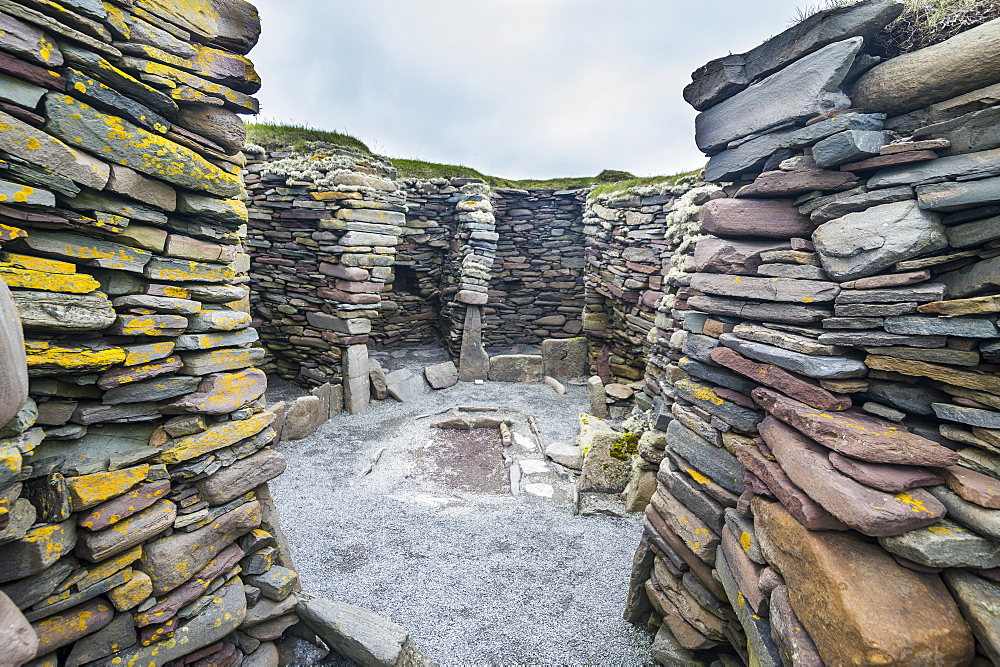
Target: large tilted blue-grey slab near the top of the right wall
column 804, row 89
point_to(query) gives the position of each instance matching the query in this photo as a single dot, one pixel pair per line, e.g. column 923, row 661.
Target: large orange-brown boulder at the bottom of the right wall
column 858, row 605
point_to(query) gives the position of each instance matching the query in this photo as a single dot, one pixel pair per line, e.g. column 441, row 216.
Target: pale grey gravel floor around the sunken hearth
column 475, row 578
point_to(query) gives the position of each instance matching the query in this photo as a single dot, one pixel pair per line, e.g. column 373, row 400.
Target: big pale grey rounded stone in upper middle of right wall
column 863, row 244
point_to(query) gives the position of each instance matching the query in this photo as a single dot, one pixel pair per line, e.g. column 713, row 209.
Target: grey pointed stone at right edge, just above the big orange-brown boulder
column 945, row 544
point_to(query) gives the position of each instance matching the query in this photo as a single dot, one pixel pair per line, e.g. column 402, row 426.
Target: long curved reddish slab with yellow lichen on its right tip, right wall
column 867, row 510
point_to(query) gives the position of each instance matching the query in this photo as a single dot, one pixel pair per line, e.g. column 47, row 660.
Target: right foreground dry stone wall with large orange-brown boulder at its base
column 822, row 453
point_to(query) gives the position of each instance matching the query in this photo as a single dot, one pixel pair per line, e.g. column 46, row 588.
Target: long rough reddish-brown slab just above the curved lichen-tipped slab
column 854, row 434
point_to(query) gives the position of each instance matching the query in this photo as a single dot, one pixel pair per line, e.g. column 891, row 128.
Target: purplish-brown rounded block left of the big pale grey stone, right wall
column 750, row 217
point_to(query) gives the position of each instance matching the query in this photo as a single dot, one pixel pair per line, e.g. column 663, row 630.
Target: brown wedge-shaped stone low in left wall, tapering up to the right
column 170, row 561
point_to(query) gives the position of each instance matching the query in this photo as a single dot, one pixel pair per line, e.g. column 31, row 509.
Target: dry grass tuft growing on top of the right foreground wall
column 923, row 23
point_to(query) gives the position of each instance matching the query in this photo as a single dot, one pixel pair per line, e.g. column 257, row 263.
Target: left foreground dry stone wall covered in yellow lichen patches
column 135, row 522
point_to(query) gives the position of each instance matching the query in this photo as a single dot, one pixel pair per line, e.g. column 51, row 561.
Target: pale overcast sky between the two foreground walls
column 514, row 88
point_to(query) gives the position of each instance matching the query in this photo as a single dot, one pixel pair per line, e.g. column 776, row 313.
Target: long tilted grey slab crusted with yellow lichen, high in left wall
column 132, row 146
